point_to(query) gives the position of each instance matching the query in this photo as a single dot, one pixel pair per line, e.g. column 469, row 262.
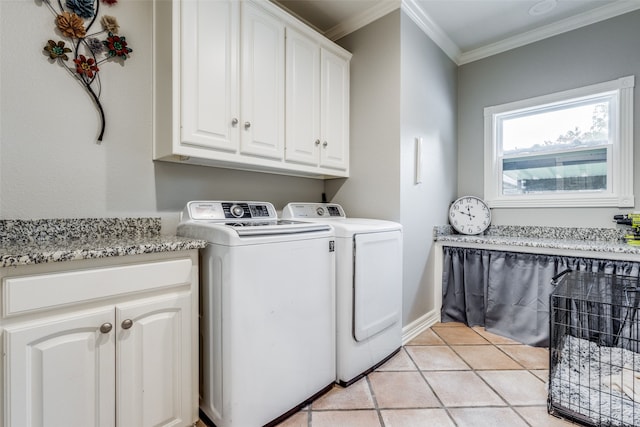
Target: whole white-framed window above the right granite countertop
column 572, row 148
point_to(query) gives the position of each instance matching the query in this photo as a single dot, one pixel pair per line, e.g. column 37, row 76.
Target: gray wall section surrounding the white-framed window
column 596, row 53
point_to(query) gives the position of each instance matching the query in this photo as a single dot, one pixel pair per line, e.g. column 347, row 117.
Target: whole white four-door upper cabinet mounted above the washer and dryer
column 231, row 91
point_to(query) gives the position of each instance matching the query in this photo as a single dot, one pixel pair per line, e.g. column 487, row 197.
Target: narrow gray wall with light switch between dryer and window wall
column 428, row 110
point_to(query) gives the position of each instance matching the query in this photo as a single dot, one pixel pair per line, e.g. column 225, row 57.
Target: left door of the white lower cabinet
column 60, row 372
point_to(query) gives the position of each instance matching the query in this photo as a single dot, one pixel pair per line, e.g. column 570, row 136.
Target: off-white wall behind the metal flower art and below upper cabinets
column 50, row 164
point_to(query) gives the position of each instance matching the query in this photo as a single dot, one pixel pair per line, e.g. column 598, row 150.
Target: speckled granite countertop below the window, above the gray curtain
column 606, row 240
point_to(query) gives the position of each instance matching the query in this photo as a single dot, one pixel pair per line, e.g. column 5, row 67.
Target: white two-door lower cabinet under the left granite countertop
column 126, row 359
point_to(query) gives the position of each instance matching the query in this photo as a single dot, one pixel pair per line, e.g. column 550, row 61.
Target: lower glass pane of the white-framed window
column 581, row 170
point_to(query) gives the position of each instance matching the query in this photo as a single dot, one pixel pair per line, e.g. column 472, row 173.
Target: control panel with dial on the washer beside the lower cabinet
column 218, row 210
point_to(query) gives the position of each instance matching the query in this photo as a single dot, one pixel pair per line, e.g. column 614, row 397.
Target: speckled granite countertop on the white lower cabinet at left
column 24, row 242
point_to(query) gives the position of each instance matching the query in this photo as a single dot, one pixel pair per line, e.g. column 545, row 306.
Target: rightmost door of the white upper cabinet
column 334, row 119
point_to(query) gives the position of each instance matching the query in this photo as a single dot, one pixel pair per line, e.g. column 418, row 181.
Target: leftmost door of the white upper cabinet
column 209, row 70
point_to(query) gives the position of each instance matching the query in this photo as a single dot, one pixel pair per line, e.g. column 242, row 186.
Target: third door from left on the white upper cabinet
column 302, row 99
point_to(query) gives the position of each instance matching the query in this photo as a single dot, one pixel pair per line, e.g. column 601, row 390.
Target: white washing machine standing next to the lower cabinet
column 267, row 311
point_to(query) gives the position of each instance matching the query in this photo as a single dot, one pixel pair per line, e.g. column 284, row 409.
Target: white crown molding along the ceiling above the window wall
column 550, row 30
